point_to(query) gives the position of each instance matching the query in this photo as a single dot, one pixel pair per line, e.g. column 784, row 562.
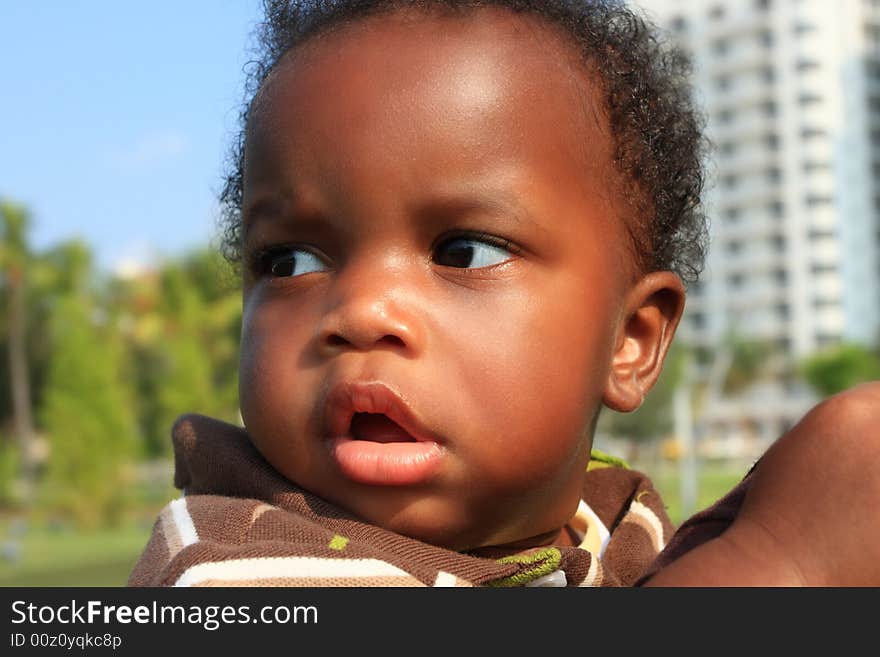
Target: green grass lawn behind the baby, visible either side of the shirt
column 65, row 557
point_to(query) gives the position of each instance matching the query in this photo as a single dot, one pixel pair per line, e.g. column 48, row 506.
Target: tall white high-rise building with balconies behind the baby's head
column 791, row 89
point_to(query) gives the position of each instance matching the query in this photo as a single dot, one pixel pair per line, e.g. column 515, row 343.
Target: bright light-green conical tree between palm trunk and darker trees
column 87, row 412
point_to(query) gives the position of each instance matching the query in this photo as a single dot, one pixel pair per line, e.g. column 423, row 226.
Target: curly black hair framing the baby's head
column 658, row 137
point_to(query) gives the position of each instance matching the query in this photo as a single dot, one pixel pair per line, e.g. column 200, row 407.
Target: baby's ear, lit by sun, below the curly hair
column 653, row 309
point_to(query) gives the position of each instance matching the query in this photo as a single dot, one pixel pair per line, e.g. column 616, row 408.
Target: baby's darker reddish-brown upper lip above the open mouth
column 346, row 398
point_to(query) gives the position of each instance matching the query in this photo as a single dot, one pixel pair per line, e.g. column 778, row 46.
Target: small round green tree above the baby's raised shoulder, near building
column 840, row 367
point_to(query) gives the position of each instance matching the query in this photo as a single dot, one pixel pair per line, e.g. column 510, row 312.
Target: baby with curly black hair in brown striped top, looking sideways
column 464, row 229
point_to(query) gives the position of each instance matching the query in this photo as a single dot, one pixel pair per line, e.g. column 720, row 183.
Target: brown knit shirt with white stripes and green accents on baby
column 240, row 523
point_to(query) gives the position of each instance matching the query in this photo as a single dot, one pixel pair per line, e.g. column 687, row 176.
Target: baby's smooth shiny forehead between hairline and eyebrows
column 479, row 83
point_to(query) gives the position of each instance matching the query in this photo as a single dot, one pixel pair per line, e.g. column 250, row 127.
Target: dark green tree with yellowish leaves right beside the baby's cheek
column 183, row 321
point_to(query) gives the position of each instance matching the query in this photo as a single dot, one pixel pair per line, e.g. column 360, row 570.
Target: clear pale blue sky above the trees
column 115, row 118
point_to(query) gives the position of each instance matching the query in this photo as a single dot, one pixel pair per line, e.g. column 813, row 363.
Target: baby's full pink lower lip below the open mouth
column 386, row 463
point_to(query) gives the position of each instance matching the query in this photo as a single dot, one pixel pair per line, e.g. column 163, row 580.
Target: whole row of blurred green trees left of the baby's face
column 112, row 360
